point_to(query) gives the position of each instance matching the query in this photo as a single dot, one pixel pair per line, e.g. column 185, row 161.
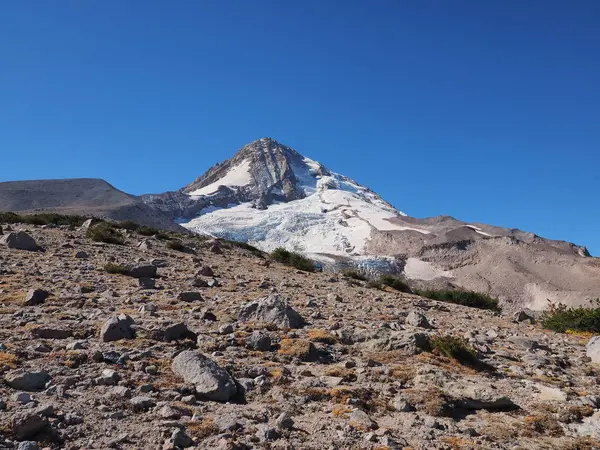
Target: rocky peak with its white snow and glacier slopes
column 270, row 195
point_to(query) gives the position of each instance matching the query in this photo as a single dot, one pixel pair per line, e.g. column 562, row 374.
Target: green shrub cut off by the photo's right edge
column 561, row 318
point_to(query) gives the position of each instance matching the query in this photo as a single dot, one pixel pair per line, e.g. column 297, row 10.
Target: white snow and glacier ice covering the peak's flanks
column 337, row 215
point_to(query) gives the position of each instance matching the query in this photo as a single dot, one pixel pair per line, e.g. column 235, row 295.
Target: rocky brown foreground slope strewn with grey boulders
column 215, row 347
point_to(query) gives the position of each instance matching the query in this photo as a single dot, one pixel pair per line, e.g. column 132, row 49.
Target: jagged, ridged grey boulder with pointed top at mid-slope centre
column 272, row 309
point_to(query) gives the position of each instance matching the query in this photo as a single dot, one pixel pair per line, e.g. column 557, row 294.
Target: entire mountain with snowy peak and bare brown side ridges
column 270, row 196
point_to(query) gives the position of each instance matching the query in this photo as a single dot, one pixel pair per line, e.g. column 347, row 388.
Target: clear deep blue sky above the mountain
column 487, row 111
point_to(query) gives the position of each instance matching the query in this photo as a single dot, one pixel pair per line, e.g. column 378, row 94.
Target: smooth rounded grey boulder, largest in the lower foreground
column 210, row 379
